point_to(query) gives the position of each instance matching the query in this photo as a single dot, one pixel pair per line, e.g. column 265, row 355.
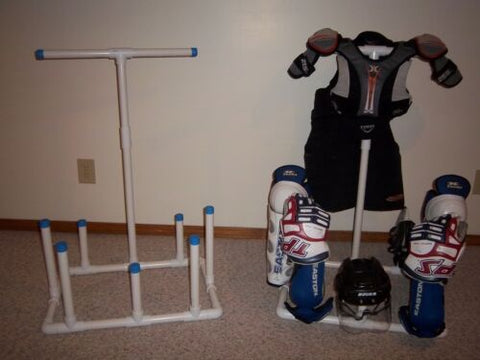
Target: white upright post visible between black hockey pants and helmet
column 362, row 182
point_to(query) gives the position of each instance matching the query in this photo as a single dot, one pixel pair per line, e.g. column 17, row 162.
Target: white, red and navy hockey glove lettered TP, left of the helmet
column 304, row 229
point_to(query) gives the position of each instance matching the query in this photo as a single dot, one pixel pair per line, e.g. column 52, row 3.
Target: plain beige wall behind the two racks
column 209, row 130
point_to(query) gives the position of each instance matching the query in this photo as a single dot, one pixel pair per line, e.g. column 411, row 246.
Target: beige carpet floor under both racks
column 248, row 329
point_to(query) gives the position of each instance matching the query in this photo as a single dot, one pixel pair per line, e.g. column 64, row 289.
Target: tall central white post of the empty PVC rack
column 120, row 62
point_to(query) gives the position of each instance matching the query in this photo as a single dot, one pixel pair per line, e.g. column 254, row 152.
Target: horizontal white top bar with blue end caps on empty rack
column 127, row 53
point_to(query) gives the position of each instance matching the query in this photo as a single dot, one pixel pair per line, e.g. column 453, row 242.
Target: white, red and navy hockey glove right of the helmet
column 434, row 249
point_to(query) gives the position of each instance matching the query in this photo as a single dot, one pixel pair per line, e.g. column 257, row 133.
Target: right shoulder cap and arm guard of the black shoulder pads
column 444, row 71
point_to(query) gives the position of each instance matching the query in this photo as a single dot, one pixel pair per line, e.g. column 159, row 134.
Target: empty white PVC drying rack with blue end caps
column 60, row 283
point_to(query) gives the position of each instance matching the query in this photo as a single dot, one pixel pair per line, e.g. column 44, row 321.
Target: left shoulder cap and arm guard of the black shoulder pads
column 323, row 43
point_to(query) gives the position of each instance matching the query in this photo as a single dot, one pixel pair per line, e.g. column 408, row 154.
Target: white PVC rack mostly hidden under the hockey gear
column 374, row 52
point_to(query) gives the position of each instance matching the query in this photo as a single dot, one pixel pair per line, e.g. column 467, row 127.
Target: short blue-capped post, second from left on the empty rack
column 63, row 267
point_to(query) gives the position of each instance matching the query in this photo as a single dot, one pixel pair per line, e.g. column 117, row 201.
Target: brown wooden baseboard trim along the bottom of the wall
column 169, row 230
